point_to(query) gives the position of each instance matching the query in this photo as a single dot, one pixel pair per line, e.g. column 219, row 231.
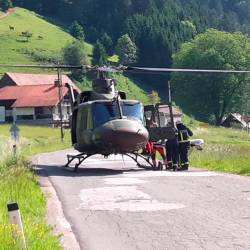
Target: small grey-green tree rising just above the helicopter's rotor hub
column 126, row 50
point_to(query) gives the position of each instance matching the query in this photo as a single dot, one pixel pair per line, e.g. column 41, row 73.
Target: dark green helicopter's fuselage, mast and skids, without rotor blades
column 105, row 122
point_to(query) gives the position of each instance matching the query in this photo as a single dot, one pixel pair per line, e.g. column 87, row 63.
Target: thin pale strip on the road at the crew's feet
column 170, row 174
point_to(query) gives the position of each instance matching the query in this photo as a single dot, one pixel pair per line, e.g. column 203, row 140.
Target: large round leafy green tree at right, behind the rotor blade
column 211, row 96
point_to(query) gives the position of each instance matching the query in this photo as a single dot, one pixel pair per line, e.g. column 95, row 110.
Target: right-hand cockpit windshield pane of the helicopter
column 133, row 110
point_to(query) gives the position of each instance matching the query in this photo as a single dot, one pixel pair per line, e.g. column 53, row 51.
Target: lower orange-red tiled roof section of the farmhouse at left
column 32, row 96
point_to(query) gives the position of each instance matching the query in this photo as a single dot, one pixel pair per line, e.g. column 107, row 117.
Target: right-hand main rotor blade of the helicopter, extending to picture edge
column 164, row 70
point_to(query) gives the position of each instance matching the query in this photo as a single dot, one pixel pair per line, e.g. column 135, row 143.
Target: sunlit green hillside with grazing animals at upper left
column 44, row 46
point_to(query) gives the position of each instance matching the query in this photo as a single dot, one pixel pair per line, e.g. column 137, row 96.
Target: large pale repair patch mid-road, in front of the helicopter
column 124, row 198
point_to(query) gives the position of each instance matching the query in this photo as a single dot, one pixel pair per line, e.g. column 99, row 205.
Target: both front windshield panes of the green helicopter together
column 104, row 112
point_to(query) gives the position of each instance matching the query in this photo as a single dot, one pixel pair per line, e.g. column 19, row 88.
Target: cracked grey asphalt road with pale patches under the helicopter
column 113, row 205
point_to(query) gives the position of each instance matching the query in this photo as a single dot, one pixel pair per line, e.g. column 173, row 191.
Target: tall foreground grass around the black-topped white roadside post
column 19, row 184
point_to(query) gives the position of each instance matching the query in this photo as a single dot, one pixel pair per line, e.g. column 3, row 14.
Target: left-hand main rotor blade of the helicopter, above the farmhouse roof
column 49, row 66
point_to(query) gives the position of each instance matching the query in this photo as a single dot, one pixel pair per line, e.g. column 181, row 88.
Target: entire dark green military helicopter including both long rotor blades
column 105, row 122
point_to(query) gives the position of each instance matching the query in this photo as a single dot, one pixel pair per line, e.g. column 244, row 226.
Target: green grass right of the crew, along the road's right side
column 226, row 150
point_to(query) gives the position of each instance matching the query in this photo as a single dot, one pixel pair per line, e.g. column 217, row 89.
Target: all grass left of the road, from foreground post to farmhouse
column 18, row 183
